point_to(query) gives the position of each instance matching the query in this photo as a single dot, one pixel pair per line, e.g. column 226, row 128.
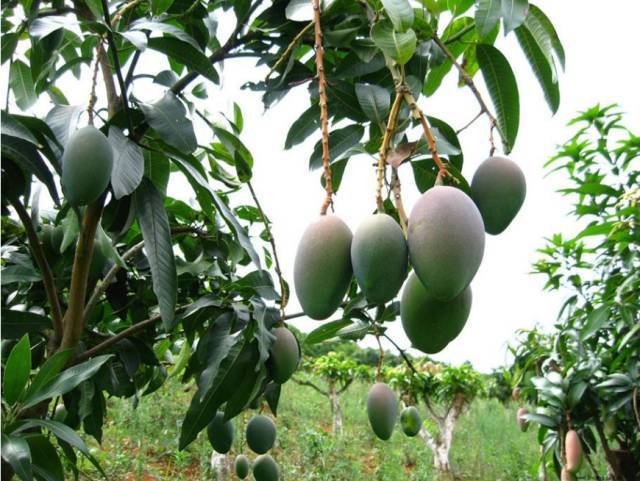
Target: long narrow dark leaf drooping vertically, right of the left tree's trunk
column 158, row 246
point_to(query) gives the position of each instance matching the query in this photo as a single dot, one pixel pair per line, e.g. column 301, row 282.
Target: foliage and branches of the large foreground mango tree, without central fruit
column 137, row 270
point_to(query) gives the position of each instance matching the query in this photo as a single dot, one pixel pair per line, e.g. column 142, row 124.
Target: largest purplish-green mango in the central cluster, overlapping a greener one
column 446, row 240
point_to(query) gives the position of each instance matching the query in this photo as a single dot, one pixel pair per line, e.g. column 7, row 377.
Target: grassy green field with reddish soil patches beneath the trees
column 140, row 444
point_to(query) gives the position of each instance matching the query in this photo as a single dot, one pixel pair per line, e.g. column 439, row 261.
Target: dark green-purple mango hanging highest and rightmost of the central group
column 498, row 188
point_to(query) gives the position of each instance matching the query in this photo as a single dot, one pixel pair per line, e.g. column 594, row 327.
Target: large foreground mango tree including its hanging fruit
column 104, row 269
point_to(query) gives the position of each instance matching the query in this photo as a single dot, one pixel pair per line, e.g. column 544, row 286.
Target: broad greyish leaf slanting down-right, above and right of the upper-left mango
column 168, row 117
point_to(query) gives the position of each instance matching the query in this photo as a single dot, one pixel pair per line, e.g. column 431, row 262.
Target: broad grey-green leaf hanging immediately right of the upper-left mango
column 128, row 163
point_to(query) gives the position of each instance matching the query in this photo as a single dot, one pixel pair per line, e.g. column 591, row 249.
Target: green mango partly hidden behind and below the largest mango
column 429, row 323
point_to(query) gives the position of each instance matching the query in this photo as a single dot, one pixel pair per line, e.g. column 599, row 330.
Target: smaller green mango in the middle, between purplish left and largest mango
column 379, row 256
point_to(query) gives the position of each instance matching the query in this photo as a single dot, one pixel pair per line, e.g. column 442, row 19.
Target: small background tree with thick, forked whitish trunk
column 446, row 391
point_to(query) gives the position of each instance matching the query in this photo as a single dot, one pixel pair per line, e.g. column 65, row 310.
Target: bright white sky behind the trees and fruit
column 599, row 42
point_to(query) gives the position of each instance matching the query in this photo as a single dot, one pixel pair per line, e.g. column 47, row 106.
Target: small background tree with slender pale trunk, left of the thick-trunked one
column 337, row 372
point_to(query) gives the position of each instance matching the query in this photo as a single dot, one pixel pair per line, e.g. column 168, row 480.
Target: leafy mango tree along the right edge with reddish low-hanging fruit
column 582, row 379
